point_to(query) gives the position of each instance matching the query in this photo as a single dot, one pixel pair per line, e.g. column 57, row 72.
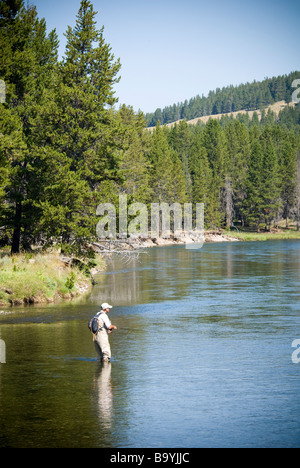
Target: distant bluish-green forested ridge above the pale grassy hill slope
column 249, row 96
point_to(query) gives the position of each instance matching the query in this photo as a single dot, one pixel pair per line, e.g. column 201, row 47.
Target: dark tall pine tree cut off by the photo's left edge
column 26, row 61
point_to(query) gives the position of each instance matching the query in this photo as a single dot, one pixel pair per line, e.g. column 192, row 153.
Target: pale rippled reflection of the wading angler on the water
column 103, row 394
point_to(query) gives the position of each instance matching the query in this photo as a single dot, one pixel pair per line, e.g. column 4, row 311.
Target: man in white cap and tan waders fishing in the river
column 101, row 336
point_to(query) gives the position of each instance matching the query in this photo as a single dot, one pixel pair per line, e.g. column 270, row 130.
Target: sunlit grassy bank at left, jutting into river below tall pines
column 40, row 278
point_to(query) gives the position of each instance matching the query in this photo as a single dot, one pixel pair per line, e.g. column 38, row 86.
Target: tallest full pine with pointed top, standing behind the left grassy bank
column 82, row 141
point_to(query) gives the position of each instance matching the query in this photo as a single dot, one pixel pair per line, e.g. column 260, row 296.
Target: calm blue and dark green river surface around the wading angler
column 202, row 356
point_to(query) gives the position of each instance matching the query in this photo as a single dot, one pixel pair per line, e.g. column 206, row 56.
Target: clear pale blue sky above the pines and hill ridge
column 172, row 50
